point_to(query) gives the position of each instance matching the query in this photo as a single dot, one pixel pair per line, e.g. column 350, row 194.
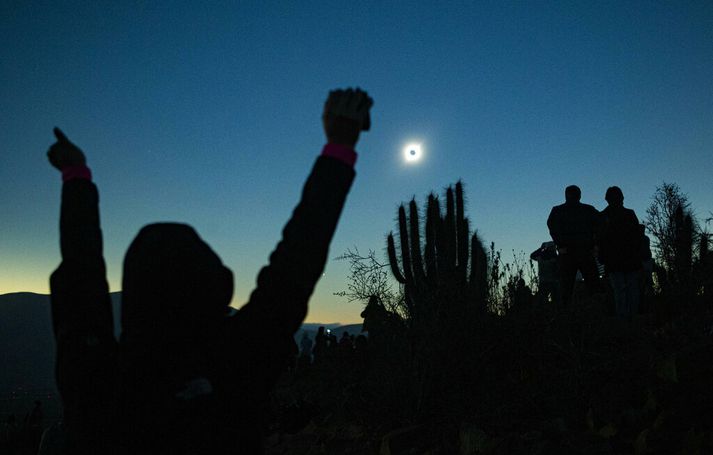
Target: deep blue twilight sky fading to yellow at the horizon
column 209, row 113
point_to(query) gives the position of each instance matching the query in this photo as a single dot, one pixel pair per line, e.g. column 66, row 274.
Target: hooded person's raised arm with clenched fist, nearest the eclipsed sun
column 286, row 283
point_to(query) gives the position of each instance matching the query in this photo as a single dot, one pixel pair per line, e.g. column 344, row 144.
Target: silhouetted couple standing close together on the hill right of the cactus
column 582, row 234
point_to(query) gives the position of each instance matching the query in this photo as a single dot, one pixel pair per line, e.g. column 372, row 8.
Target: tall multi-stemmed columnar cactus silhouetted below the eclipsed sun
column 446, row 274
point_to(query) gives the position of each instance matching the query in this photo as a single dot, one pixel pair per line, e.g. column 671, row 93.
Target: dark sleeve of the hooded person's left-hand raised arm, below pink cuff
column 82, row 317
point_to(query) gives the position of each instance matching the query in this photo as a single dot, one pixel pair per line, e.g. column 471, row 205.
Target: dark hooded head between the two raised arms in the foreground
column 173, row 284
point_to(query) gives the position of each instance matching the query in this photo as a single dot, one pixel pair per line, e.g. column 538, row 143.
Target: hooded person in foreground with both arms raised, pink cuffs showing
column 189, row 375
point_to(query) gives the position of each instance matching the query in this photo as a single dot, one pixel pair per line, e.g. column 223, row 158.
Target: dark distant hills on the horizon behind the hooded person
column 27, row 345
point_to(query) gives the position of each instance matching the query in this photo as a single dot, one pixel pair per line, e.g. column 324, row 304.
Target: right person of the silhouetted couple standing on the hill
column 621, row 252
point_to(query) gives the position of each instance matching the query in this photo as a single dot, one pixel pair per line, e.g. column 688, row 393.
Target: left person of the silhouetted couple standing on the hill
column 573, row 227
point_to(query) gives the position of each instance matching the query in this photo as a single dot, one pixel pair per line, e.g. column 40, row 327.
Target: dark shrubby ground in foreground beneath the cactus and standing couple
column 537, row 380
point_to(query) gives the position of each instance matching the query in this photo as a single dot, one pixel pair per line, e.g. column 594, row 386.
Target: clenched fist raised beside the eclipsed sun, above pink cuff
column 346, row 114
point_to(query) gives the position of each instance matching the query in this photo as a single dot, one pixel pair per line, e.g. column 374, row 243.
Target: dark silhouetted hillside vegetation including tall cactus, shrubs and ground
column 458, row 368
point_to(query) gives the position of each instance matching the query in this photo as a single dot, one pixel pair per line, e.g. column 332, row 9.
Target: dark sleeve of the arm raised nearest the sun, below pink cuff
column 278, row 305
